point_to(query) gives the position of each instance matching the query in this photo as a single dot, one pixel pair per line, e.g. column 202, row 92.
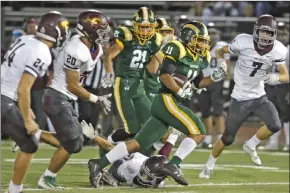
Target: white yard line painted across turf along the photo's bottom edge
column 174, row 186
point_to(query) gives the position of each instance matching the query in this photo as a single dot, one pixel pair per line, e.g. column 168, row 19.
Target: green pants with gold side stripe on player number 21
column 132, row 103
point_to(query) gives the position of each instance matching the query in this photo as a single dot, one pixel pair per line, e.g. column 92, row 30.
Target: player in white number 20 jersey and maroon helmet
column 76, row 60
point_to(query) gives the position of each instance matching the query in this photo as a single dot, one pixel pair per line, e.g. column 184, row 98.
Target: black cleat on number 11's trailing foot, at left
column 95, row 173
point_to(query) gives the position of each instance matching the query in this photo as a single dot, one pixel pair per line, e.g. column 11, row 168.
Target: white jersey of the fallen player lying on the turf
column 131, row 166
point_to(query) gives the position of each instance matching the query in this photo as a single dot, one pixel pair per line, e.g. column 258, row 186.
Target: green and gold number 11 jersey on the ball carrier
column 188, row 65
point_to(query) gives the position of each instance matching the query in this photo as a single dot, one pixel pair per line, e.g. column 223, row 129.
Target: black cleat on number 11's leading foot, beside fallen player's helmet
column 175, row 172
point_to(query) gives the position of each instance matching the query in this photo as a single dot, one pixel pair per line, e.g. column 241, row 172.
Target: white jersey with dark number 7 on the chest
column 251, row 67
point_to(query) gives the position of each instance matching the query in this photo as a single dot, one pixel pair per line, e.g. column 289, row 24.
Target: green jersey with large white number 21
column 134, row 57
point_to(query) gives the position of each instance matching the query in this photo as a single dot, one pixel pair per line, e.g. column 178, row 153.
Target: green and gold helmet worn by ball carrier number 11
column 194, row 35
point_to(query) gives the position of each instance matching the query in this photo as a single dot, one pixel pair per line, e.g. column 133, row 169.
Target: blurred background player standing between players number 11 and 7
column 212, row 97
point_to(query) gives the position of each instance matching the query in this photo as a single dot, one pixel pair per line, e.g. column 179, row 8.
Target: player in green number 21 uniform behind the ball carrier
column 132, row 52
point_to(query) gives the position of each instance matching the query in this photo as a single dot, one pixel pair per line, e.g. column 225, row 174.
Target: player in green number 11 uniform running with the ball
column 185, row 58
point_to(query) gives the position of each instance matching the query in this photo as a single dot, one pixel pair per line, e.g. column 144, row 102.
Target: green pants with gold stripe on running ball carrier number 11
column 167, row 111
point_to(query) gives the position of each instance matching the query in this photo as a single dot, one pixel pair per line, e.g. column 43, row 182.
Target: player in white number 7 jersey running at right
column 257, row 53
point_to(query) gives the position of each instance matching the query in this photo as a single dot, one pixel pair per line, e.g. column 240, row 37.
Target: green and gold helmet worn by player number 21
column 144, row 24
